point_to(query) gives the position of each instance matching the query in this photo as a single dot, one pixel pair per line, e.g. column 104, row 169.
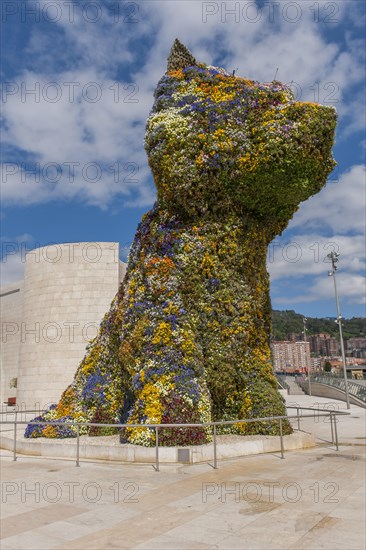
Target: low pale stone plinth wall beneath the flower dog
column 109, row 448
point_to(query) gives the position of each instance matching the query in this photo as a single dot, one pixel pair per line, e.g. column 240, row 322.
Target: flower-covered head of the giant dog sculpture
column 218, row 143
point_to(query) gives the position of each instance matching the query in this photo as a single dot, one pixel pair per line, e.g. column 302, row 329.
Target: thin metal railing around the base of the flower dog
column 316, row 413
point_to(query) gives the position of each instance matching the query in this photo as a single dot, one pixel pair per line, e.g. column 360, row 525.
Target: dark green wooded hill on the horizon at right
column 287, row 321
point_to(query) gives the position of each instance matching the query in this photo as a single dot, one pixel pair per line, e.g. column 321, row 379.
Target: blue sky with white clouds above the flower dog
column 78, row 81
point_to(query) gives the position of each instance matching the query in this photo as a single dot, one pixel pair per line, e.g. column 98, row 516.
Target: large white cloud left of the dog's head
column 68, row 137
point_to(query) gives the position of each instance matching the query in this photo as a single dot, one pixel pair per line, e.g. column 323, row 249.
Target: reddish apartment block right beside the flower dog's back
column 290, row 356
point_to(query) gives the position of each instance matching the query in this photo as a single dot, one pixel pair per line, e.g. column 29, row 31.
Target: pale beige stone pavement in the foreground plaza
column 312, row 499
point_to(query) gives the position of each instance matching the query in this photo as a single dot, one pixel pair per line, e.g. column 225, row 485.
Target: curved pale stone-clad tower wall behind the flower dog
column 67, row 290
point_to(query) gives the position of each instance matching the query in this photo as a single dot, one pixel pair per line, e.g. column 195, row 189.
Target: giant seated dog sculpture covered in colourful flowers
column 187, row 337
